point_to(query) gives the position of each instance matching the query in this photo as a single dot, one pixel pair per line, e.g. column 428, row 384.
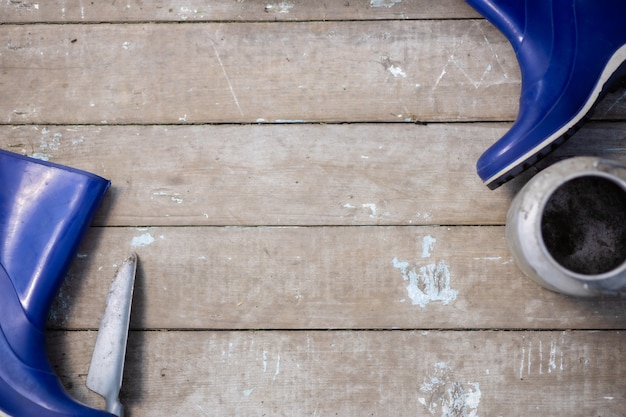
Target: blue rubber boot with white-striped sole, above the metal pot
column 571, row 54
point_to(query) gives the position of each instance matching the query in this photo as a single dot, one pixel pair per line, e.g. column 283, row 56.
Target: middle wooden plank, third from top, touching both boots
column 354, row 174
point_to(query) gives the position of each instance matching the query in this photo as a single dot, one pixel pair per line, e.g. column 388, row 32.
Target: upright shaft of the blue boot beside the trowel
column 45, row 209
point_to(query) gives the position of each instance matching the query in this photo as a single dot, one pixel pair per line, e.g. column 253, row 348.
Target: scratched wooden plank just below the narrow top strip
column 315, row 71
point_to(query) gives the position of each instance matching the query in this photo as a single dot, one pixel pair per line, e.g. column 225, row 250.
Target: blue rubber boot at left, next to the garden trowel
column 45, row 209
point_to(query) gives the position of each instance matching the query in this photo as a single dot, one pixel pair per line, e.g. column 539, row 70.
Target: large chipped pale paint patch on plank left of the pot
column 431, row 283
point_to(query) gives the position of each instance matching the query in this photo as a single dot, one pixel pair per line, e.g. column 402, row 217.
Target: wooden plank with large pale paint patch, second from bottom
column 320, row 278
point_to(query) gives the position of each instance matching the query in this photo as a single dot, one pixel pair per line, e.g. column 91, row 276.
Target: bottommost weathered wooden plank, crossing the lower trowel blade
column 361, row 373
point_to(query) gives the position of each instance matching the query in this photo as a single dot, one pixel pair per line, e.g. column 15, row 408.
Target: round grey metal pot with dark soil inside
column 567, row 227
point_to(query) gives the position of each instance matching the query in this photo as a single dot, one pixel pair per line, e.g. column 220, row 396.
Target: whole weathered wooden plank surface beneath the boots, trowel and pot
column 293, row 176
